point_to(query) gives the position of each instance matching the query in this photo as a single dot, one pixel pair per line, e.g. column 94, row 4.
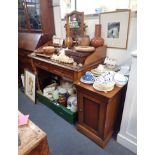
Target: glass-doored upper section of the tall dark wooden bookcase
column 36, row 16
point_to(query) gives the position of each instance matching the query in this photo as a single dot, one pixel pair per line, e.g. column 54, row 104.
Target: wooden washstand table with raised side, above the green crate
column 68, row 70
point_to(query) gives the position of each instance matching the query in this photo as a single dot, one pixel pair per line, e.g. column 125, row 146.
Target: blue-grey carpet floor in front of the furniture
column 63, row 138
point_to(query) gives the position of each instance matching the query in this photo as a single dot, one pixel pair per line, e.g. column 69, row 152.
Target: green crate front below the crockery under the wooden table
column 58, row 108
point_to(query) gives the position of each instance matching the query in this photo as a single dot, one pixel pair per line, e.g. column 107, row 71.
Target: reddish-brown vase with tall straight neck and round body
column 97, row 41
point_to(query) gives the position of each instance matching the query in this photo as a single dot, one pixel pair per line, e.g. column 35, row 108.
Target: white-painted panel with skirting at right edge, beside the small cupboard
column 127, row 135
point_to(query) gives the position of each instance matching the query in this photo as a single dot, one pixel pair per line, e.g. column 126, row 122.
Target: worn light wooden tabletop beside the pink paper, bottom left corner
column 30, row 136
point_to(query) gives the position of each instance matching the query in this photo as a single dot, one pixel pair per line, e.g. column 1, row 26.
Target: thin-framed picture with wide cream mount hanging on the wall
column 115, row 28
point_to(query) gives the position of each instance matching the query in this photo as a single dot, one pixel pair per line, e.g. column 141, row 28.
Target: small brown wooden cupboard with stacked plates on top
column 98, row 112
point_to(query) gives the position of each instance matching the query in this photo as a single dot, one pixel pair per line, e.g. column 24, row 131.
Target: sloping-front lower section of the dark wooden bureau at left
column 27, row 43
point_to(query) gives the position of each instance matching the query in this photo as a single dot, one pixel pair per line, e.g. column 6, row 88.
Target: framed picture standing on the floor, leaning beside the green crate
column 30, row 85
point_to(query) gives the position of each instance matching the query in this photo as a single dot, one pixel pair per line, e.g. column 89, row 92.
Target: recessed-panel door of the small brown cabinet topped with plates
column 91, row 114
